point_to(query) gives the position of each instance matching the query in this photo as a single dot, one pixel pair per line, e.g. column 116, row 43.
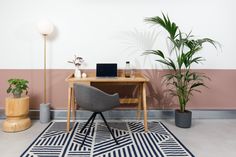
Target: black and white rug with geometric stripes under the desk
column 54, row 141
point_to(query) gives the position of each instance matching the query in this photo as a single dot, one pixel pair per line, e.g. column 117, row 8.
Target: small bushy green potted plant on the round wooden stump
column 17, row 87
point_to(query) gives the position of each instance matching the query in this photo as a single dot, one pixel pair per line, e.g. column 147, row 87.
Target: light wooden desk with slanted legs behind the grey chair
column 139, row 80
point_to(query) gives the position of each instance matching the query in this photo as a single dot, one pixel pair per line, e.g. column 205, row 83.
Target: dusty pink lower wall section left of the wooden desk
column 56, row 86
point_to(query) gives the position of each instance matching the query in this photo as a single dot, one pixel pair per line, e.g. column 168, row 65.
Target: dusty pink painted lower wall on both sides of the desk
column 221, row 93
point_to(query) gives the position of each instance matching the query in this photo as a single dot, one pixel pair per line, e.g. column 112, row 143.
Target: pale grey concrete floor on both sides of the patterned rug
column 206, row 138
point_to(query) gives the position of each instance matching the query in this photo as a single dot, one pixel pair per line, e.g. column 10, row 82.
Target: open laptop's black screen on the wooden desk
column 106, row 70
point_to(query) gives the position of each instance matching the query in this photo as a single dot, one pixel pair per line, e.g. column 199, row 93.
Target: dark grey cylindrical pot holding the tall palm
column 183, row 119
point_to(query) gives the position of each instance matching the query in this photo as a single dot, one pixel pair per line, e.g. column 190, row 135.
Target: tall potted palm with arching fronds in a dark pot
column 181, row 81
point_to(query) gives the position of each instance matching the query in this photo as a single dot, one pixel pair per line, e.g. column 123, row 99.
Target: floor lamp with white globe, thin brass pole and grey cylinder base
column 45, row 28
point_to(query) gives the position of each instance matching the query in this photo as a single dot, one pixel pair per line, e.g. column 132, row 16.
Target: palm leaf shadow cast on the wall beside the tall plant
column 136, row 42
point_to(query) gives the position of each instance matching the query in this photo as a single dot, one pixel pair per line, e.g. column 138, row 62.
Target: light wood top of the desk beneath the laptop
column 71, row 78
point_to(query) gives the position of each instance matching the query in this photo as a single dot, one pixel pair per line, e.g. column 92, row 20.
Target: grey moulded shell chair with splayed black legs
column 97, row 101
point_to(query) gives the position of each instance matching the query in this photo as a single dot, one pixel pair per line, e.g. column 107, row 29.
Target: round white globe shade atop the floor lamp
column 45, row 27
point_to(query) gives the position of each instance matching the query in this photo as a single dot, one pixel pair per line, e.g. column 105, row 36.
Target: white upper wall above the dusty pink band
column 110, row 31
